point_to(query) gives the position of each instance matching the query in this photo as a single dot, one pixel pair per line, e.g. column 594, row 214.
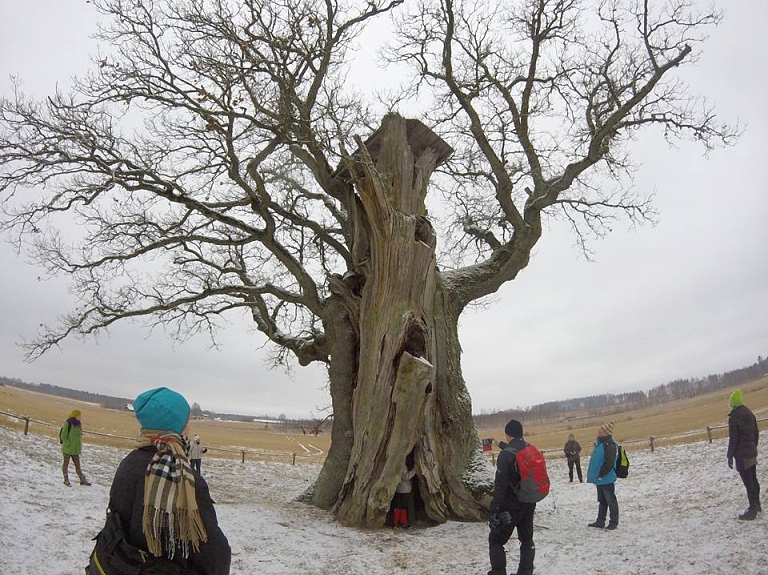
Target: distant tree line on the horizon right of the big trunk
column 612, row 403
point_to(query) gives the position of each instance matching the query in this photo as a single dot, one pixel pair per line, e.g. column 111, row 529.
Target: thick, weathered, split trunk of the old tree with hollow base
column 408, row 395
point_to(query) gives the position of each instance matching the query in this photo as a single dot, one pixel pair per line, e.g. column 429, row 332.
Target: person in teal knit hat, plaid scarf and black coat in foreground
column 163, row 507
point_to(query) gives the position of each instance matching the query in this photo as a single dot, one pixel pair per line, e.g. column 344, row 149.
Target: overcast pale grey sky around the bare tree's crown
column 685, row 298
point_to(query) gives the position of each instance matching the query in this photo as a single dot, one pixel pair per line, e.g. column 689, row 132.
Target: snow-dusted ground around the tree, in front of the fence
column 678, row 516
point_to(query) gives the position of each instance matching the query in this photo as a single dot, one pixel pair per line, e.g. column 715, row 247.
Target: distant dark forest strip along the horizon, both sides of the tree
column 545, row 412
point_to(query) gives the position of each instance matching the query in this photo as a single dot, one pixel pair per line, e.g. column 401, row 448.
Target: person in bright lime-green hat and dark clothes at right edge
column 743, row 436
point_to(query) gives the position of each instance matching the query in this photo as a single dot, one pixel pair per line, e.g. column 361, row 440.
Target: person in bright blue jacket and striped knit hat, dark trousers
column 602, row 472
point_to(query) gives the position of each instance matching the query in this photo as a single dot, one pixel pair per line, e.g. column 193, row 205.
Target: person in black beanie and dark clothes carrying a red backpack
column 507, row 510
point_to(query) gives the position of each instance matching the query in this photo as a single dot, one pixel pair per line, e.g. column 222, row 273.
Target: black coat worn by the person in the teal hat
column 127, row 498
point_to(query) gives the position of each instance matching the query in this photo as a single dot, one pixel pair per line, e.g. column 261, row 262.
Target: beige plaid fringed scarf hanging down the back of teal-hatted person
column 171, row 518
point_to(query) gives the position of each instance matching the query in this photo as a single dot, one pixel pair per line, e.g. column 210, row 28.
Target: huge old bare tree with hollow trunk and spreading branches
column 215, row 162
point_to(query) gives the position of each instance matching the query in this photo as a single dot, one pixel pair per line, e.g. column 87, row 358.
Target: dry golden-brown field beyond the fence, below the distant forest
column 673, row 422
